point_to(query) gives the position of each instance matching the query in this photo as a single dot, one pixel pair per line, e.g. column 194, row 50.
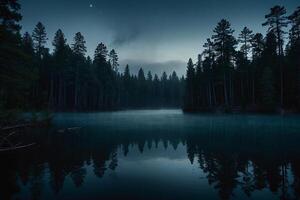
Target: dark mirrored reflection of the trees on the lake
column 231, row 161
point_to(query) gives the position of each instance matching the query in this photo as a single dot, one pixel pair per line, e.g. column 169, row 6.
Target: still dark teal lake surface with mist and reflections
column 161, row 154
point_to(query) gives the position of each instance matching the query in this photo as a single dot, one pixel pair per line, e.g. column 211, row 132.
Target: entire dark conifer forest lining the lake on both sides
column 252, row 72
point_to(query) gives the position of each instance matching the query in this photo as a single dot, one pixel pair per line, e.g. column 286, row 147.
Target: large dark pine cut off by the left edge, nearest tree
column 15, row 77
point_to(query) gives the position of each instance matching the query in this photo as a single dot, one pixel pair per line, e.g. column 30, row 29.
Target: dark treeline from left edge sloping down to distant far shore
column 33, row 78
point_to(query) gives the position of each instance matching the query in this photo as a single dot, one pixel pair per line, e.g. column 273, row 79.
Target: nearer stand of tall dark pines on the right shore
column 261, row 75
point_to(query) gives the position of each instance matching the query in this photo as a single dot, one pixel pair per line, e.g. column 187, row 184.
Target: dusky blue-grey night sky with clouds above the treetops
column 155, row 34
